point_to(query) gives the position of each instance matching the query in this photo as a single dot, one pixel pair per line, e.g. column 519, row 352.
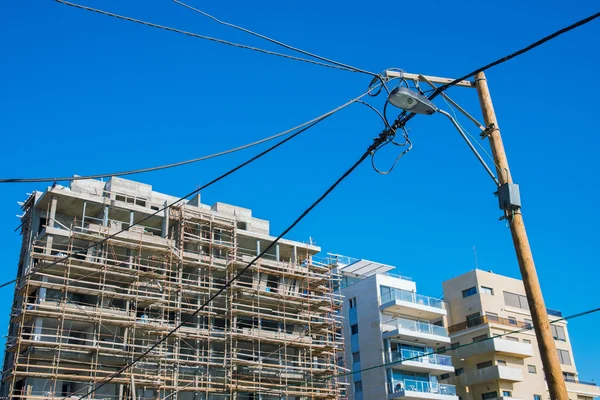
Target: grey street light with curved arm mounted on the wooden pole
column 409, row 100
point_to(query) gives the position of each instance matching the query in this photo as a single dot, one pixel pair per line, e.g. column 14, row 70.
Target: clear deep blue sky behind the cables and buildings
column 84, row 93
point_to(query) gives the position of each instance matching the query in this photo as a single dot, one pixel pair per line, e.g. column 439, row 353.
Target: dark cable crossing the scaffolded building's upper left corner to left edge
column 306, row 127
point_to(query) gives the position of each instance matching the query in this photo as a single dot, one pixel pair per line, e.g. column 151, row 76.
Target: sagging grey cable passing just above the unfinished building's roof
column 160, row 167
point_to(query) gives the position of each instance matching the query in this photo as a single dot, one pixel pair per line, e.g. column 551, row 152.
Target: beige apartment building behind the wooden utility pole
column 483, row 304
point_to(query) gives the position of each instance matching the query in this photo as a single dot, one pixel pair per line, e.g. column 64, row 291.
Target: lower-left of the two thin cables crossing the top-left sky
column 196, row 35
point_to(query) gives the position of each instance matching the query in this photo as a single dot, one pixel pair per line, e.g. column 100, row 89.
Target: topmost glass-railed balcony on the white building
column 404, row 302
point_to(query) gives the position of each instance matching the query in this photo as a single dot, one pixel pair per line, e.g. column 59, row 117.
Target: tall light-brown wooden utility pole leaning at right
column 539, row 315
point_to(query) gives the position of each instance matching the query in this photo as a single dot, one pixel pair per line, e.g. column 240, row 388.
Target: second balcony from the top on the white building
column 422, row 332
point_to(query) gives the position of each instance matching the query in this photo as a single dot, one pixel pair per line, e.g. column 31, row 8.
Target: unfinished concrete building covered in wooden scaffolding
column 82, row 311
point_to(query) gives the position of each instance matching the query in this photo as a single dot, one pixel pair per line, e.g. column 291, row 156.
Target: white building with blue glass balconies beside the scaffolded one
column 385, row 320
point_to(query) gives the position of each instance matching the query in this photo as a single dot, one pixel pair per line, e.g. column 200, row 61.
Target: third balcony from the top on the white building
column 417, row 361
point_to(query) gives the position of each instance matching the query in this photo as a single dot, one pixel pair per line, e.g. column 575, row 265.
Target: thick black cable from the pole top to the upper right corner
column 404, row 118
